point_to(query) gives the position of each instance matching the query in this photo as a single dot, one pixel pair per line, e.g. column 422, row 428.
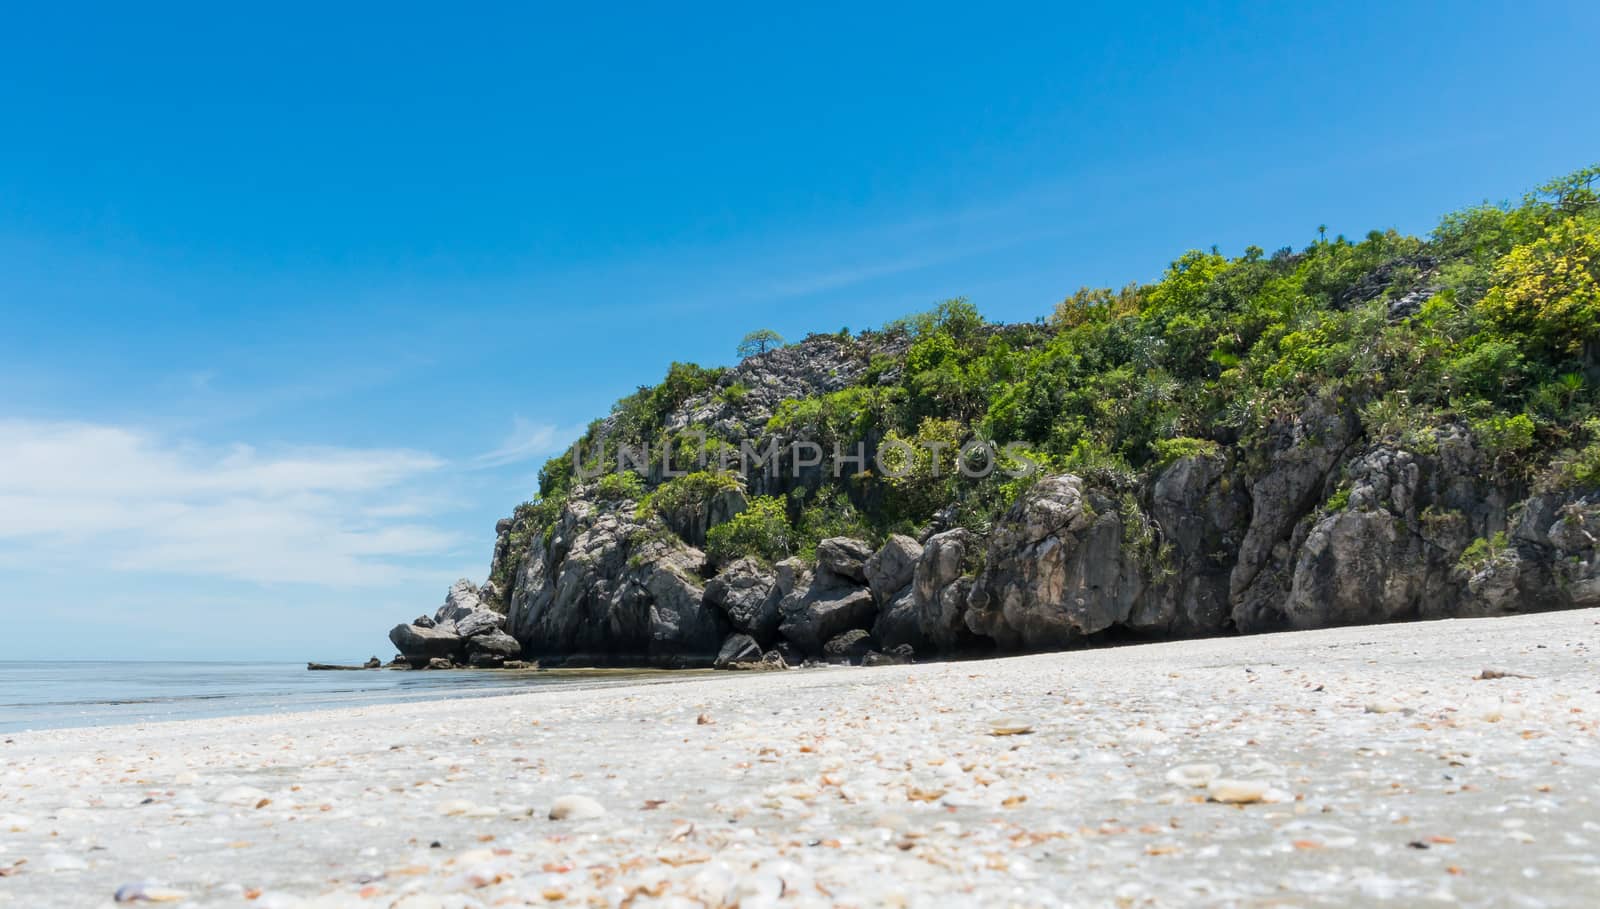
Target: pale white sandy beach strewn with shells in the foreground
column 874, row 787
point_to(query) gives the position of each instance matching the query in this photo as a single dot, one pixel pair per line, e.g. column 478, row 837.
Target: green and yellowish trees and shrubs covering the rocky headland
column 1489, row 327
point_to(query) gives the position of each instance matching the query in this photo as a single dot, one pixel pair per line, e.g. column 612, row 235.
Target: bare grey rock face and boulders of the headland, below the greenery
column 1310, row 523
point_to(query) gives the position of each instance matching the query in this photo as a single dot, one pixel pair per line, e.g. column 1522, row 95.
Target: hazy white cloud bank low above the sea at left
column 118, row 499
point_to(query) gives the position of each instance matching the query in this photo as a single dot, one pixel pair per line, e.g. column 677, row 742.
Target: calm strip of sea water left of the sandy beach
column 55, row 695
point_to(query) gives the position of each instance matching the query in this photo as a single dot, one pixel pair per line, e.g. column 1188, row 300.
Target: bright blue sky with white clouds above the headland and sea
column 295, row 300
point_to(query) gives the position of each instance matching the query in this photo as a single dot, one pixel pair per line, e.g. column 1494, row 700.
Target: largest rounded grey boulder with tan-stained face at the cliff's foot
column 1055, row 571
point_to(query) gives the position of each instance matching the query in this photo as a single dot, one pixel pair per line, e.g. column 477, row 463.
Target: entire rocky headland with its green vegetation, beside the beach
column 1359, row 433
